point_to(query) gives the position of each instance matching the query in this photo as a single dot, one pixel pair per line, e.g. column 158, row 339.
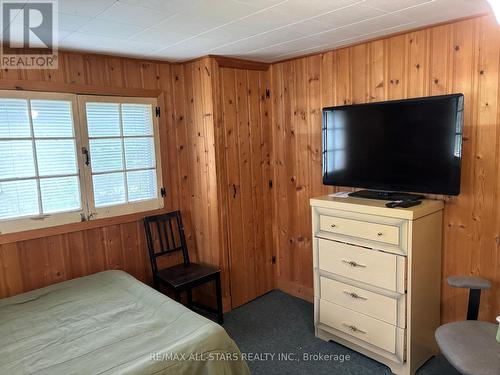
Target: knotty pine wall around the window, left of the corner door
column 186, row 138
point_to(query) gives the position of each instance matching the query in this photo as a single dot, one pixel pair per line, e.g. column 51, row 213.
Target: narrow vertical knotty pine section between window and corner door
column 195, row 120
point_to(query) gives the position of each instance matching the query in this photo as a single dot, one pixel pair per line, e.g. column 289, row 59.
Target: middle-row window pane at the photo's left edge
column 16, row 159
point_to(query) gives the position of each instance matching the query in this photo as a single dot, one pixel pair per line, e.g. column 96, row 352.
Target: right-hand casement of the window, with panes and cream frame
column 124, row 169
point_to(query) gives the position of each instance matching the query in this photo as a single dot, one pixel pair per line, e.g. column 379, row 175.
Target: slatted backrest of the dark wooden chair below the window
column 165, row 235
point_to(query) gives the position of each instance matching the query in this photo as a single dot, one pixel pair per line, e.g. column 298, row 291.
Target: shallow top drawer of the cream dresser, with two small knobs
column 389, row 234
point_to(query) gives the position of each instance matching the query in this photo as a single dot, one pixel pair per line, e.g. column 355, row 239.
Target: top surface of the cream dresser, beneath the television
column 377, row 207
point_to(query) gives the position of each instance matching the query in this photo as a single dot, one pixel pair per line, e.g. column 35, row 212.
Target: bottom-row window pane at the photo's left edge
column 18, row 198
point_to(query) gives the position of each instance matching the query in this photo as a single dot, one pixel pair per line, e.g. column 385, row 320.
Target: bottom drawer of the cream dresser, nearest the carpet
column 375, row 332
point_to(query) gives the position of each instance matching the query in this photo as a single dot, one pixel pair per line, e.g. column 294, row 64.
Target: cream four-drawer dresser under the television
column 377, row 278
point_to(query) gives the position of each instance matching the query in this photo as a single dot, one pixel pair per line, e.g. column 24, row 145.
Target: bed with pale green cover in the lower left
column 110, row 323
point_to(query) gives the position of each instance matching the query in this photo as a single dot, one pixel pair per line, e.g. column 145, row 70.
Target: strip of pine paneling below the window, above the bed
column 36, row 263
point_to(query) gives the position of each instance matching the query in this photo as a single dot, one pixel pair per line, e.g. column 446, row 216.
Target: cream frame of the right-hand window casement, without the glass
column 127, row 208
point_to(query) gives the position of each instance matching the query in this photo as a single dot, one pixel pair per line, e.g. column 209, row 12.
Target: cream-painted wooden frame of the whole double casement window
column 87, row 211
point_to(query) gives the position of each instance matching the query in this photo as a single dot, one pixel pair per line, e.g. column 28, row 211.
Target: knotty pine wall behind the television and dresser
column 456, row 57
